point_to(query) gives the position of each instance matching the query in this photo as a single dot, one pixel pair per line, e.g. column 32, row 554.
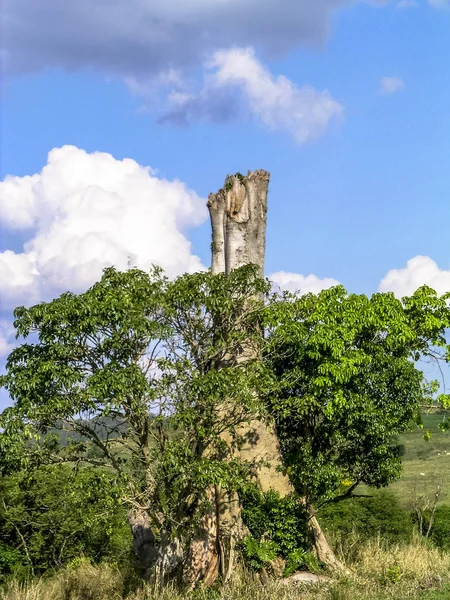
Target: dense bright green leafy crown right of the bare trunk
column 346, row 383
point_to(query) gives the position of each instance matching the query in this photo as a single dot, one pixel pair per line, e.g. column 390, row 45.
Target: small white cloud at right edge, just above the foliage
column 420, row 270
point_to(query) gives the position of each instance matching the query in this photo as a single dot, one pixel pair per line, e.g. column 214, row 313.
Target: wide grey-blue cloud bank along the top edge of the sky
column 141, row 37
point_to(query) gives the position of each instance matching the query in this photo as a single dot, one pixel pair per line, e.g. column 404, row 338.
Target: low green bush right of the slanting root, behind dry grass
column 380, row 514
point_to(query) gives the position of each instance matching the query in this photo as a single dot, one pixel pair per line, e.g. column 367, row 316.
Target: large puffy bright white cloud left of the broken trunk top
column 86, row 211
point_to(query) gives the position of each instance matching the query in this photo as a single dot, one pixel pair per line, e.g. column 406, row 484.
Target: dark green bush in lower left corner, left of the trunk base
column 52, row 515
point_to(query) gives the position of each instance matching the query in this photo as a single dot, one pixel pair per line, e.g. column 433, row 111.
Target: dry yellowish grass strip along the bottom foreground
column 414, row 571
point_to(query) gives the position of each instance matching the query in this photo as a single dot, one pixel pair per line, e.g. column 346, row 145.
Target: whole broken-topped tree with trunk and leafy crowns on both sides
column 192, row 389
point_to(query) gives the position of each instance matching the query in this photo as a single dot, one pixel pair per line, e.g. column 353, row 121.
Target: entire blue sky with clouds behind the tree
column 118, row 117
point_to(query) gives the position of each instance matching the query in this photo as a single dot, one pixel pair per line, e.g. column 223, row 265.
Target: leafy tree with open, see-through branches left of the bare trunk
column 129, row 371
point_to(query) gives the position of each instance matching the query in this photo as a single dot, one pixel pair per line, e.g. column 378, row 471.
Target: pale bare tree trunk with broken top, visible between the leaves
column 238, row 219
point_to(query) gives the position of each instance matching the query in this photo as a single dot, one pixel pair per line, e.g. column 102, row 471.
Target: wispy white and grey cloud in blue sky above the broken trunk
column 235, row 75
